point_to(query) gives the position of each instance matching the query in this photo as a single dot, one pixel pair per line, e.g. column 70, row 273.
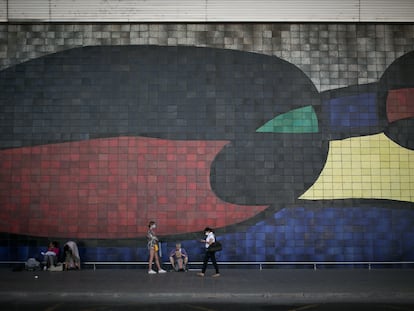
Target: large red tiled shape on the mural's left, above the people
column 111, row 188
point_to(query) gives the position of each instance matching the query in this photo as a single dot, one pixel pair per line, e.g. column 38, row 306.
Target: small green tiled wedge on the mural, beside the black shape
column 300, row 120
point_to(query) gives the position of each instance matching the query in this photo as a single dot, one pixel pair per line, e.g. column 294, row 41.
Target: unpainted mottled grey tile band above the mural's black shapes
column 332, row 55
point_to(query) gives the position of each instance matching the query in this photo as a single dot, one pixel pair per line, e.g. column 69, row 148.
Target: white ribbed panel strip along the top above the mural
column 207, row 10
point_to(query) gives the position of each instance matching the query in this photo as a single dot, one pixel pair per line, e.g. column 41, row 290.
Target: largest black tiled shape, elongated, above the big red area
column 164, row 92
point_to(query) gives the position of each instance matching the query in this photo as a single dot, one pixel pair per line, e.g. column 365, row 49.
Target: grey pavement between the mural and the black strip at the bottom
column 234, row 285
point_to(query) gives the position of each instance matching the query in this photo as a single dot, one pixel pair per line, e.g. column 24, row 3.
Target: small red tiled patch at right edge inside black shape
column 400, row 104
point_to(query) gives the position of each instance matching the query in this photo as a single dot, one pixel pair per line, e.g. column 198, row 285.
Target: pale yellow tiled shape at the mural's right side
column 366, row 167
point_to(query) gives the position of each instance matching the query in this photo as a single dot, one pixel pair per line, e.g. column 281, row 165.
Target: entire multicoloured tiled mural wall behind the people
column 294, row 141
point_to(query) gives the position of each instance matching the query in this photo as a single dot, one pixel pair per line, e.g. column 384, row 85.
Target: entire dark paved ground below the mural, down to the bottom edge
column 235, row 289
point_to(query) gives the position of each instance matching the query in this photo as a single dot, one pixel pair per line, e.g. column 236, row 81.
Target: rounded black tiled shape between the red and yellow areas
column 267, row 168
